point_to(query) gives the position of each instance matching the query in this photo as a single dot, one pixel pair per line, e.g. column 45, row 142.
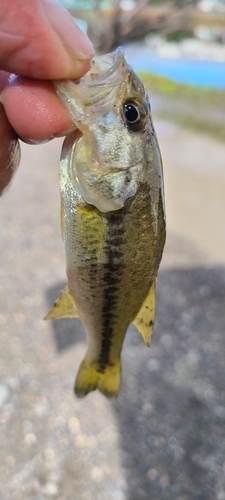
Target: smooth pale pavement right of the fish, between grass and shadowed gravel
column 195, row 188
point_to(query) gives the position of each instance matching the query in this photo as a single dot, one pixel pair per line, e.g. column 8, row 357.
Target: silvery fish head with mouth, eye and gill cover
column 118, row 149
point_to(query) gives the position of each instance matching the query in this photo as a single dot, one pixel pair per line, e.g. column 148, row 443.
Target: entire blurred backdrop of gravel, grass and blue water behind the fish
column 164, row 437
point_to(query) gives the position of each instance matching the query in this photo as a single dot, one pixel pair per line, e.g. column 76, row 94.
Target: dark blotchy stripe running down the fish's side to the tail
column 111, row 278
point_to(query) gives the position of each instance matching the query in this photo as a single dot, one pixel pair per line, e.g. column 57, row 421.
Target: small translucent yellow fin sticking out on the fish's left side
column 63, row 307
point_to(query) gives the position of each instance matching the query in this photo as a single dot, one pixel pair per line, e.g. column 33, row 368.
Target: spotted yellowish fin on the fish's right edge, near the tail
column 144, row 320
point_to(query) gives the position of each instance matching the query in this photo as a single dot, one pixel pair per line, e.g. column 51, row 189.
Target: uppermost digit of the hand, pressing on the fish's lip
column 40, row 39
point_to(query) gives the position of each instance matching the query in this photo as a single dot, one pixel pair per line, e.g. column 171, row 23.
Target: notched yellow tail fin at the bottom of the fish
column 91, row 377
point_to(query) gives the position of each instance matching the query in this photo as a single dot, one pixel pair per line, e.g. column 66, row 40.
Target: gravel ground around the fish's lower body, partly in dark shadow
column 163, row 438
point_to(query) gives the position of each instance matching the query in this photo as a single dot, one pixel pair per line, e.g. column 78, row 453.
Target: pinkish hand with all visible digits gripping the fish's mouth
column 39, row 42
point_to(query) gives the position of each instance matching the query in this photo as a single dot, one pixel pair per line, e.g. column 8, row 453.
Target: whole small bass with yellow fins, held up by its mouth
column 112, row 215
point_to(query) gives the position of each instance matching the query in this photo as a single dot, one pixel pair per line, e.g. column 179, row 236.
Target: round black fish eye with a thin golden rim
column 134, row 115
